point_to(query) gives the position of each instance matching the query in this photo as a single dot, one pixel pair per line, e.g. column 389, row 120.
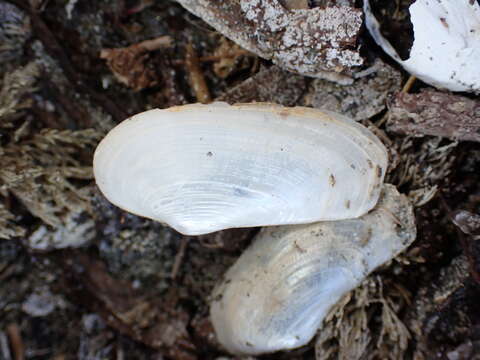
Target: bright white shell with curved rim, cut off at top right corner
column 446, row 48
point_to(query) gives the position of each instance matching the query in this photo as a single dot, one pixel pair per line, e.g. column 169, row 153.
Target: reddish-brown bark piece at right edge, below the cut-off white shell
column 435, row 113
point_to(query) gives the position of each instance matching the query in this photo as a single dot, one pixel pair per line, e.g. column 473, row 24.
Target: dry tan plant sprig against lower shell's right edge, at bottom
column 350, row 331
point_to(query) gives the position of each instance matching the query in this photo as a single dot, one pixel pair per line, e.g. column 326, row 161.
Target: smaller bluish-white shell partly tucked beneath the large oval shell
column 278, row 292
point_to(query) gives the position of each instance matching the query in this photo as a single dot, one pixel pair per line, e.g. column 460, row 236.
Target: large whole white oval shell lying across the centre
column 203, row 168
